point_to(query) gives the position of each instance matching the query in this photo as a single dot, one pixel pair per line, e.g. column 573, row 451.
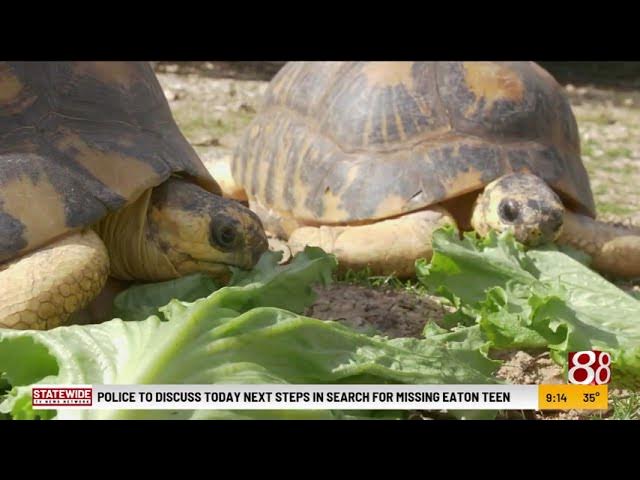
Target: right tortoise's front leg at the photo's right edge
column 614, row 248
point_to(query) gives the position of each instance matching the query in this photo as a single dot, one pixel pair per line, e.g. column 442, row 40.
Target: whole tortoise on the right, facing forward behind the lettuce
column 367, row 159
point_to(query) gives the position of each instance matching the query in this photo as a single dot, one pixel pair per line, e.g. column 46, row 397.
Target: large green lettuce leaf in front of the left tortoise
column 234, row 335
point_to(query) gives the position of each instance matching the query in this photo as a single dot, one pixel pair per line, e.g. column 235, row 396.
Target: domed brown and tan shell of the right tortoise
column 341, row 142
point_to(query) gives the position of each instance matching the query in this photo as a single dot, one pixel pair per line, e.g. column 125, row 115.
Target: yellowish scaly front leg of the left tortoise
column 42, row 289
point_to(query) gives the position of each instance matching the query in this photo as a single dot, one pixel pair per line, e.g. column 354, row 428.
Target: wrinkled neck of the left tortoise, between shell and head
column 133, row 252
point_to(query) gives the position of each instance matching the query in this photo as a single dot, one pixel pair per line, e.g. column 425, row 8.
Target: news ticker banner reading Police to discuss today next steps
column 321, row 397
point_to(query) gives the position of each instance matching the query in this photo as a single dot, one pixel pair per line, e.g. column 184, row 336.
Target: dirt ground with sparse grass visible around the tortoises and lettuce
column 213, row 101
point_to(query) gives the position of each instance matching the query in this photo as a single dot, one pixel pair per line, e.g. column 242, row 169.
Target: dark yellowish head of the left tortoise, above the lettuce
column 201, row 232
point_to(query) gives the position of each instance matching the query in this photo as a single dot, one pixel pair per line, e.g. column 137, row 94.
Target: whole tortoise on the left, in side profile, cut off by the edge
column 97, row 179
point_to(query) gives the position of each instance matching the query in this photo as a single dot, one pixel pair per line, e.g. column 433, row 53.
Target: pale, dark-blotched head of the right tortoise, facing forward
column 522, row 203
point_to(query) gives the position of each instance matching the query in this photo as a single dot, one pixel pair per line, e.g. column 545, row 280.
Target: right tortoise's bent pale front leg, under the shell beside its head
column 387, row 247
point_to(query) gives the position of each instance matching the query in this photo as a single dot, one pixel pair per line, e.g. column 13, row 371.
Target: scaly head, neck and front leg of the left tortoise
column 170, row 231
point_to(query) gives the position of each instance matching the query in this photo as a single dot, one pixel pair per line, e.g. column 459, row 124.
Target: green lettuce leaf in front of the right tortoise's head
column 537, row 298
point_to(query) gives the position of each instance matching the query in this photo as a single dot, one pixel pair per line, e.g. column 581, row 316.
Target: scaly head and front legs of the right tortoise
column 521, row 202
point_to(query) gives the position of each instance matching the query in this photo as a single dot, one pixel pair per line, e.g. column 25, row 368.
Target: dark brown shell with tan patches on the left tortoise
column 78, row 140
